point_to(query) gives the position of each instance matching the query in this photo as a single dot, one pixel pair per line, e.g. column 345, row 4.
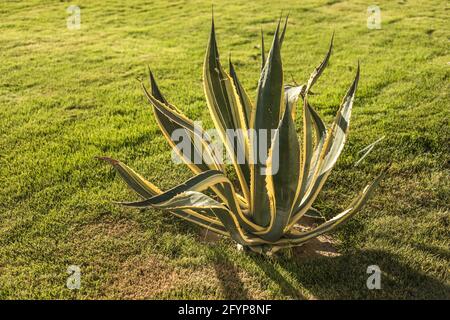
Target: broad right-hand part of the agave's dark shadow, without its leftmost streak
column 345, row 276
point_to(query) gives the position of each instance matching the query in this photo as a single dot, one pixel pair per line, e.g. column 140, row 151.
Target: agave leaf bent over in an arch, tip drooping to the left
column 201, row 182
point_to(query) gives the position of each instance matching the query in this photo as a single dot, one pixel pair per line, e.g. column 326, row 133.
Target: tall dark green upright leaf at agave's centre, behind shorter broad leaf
column 266, row 116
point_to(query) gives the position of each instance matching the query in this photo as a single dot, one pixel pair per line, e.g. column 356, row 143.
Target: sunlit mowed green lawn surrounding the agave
column 67, row 96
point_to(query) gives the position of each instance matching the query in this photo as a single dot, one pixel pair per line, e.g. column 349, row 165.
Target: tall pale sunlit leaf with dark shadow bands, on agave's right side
column 331, row 150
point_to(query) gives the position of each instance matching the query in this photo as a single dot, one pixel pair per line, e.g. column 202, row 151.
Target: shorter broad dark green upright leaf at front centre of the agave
column 282, row 184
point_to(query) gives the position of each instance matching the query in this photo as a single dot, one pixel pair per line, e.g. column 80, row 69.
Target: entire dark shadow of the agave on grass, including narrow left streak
column 318, row 269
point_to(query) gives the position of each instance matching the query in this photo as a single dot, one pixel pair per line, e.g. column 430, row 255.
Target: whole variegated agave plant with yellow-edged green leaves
column 263, row 208
